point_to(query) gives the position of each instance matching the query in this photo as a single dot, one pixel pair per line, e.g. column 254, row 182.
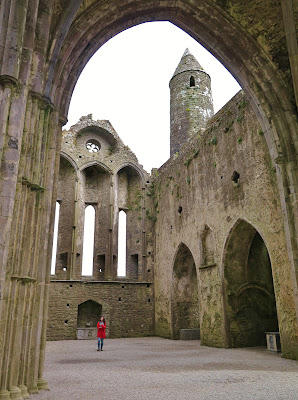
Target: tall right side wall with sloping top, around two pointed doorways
column 196, row 190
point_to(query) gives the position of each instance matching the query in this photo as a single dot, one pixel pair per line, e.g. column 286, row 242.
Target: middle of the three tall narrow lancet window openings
column 88, row 243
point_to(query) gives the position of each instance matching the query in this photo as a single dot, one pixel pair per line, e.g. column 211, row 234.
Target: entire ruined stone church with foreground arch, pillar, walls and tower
column 210, row 236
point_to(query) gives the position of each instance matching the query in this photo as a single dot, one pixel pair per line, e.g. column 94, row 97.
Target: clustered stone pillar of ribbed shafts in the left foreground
column 24, row 300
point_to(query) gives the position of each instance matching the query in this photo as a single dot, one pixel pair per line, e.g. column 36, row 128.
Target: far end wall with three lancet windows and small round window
column 110, row 179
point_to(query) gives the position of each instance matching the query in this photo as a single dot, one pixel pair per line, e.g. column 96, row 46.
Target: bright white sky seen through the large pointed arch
column 127, row 83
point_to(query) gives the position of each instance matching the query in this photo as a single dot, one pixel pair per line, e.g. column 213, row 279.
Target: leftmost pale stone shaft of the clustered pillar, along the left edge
column 12, row 125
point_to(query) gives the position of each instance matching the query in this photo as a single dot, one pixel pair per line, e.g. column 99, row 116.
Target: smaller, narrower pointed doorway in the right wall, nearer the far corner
column 185, row 302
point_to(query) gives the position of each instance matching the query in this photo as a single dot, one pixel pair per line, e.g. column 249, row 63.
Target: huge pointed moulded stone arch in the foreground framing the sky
column 251, row 61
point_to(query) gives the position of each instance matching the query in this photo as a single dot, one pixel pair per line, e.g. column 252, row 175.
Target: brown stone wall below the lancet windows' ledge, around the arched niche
column 127, row 307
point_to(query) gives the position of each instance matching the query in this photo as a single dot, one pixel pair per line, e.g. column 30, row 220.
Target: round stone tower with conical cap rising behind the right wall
column 191, row 100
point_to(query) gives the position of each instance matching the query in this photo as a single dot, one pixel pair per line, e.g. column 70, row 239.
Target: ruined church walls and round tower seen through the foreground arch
column 200, row 210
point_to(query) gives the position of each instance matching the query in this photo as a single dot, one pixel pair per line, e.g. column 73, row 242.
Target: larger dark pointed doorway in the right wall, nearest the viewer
column 249, row 290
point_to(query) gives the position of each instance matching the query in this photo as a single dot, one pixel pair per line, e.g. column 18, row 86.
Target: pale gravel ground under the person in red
column 155, row 368
